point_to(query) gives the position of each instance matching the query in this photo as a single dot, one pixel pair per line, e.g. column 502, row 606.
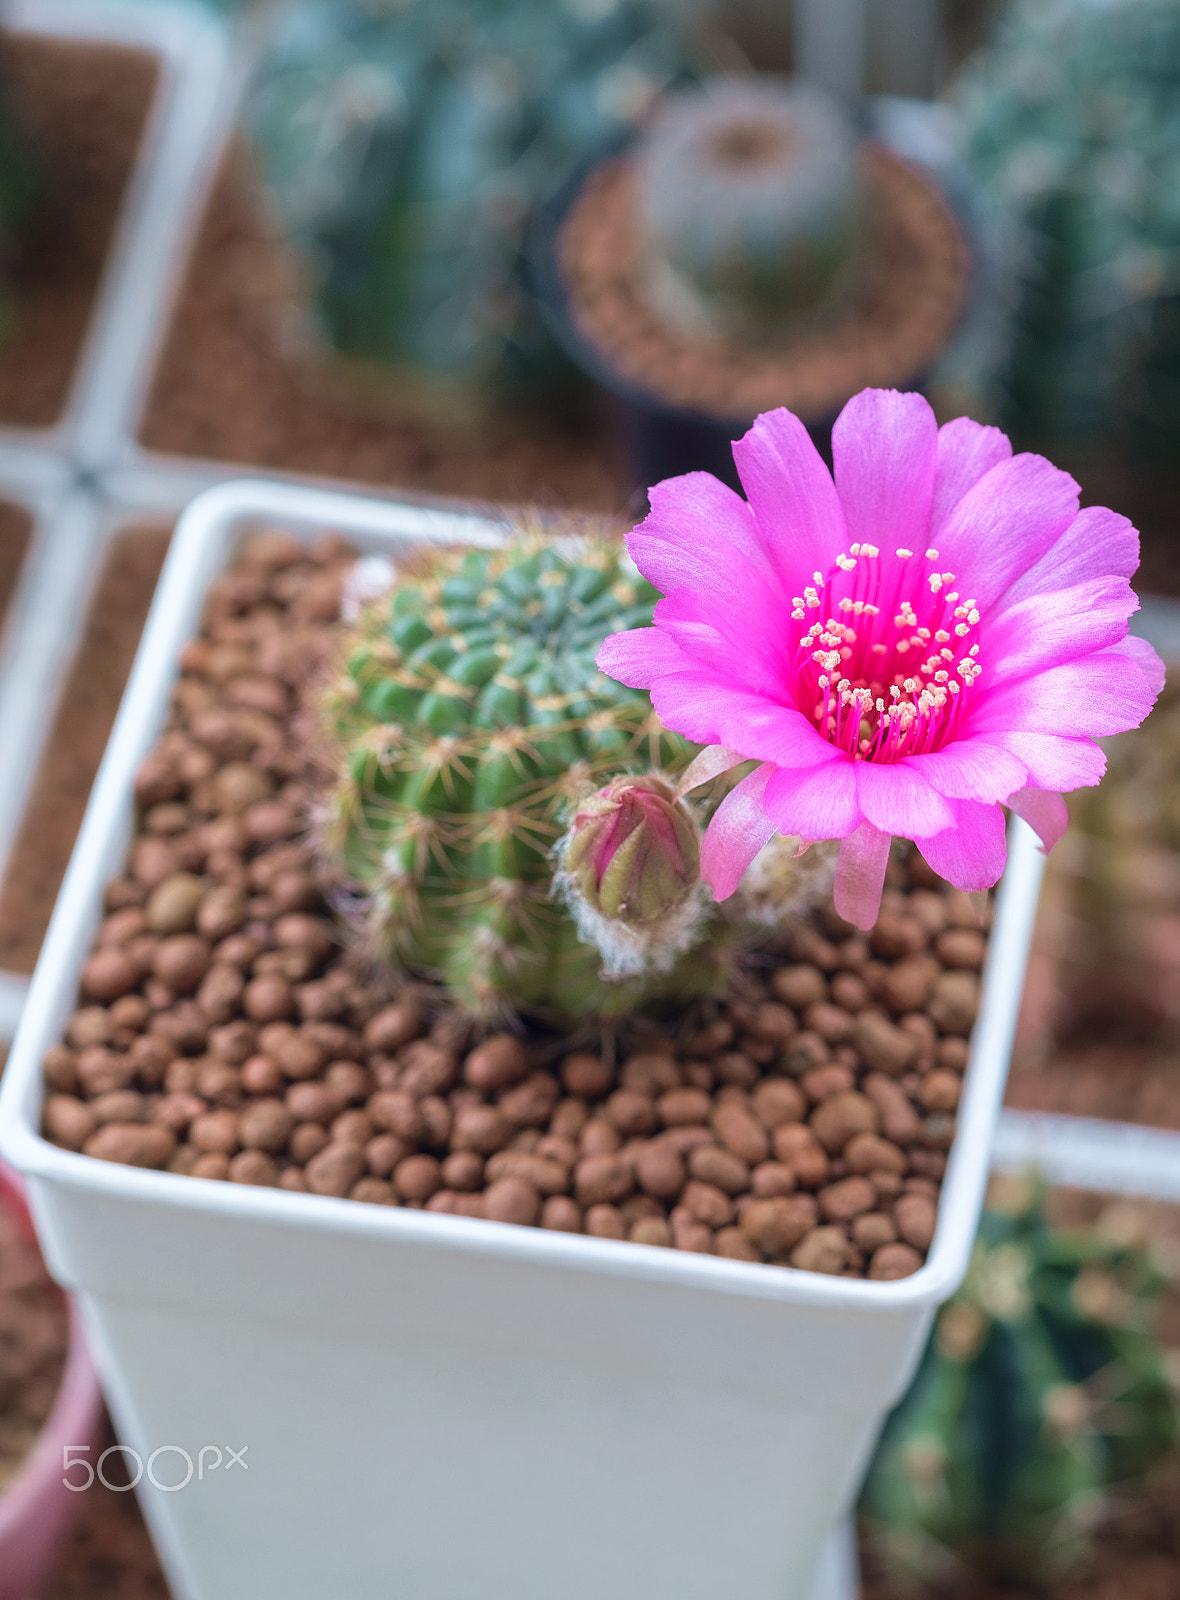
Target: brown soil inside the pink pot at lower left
column 34, row 1334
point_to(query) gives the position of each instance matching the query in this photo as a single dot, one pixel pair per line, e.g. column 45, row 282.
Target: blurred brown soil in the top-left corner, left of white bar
column 82, row 111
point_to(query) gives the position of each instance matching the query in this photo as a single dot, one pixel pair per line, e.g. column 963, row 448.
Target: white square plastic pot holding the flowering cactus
column 437, row 1409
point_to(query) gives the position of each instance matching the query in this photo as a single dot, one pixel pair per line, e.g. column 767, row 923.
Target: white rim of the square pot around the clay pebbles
column 380, row 526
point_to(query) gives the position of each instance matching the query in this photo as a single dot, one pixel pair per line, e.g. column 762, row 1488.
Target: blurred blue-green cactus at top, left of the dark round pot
column 404, row 145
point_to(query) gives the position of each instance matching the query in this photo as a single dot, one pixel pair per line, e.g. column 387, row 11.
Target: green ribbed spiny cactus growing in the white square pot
column 468, row 726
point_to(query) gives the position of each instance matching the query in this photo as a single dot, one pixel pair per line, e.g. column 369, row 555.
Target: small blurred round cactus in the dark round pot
column 752, row 204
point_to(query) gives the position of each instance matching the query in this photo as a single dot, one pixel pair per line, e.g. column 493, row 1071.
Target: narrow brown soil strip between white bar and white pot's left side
column 76, row 743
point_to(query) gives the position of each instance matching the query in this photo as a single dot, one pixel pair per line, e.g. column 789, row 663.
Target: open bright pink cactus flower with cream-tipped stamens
column 936, row 633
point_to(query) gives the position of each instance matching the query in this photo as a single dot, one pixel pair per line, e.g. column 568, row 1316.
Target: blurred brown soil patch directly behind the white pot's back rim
column 226, row 390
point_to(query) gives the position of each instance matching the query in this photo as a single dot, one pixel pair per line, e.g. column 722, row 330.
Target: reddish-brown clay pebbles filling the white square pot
column 225, row 1031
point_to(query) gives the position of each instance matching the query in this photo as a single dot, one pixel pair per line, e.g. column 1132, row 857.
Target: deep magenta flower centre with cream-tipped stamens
column 885, row 654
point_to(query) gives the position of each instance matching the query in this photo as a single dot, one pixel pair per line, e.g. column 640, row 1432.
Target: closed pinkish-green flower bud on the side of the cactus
column 632, row 852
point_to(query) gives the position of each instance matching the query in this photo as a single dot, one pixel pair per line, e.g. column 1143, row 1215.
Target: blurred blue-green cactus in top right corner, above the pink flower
column 1072, row 124
